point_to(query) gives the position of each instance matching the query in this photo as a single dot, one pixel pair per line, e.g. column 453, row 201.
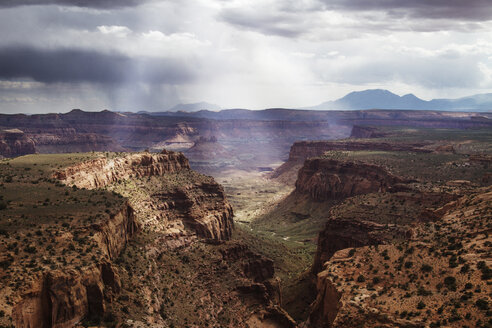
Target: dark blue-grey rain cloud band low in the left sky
column 73, row 66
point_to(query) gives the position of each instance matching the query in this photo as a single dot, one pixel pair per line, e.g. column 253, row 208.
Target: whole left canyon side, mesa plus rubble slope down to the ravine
column 173, row 209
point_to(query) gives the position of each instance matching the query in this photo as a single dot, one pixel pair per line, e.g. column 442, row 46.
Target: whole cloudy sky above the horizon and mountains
column 133, row 55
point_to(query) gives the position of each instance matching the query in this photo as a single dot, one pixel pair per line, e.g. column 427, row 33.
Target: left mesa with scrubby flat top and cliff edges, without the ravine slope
column 67, row 272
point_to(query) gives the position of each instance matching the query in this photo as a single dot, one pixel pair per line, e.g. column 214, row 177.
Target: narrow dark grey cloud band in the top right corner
column 470, row 10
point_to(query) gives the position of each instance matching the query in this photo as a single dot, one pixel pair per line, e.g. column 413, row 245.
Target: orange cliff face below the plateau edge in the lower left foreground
column 60, row 298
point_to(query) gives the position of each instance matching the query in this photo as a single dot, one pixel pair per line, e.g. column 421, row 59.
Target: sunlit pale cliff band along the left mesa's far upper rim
column 100, row 172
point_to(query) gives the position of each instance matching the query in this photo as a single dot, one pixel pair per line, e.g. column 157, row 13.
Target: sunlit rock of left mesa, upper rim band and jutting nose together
column 198, row 205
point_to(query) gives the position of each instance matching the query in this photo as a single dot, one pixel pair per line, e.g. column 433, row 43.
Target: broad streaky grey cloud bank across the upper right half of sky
column 292, row 19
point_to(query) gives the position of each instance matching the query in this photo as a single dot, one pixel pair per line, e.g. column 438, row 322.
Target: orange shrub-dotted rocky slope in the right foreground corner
column 413, row 283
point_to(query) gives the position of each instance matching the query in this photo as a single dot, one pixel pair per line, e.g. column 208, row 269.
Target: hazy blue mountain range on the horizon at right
column 384, row 99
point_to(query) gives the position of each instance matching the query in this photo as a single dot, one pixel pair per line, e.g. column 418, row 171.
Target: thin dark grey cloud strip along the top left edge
column 104, row 4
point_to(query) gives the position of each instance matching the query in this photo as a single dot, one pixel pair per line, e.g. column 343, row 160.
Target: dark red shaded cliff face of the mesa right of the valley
column 324, row 179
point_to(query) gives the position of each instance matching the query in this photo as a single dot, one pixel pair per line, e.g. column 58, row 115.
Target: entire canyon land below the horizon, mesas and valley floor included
column 258, row 222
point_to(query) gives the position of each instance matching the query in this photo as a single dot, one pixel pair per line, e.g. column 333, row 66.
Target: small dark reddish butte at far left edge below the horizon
column 14, row 143
